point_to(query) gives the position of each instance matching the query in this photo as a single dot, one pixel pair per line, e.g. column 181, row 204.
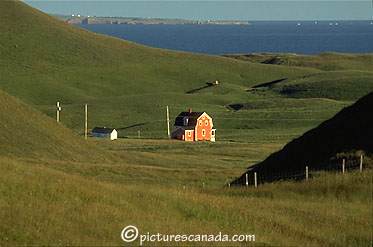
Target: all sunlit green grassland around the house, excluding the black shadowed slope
column 58, row 189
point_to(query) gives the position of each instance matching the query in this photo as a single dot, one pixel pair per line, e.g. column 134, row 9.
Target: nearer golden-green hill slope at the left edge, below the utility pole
column 29, row 134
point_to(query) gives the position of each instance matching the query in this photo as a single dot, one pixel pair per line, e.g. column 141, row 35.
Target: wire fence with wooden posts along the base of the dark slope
column 256, row 177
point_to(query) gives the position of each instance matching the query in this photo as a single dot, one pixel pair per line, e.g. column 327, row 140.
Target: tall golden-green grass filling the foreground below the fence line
column 42, row 206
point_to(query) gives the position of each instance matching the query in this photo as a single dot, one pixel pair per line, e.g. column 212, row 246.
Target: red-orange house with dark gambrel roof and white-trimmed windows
column 193, row 126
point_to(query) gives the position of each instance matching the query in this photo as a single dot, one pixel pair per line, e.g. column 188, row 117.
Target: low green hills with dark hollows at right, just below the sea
column 343, row 76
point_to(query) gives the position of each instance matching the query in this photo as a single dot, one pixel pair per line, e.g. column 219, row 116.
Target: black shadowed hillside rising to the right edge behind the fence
column 348, row 133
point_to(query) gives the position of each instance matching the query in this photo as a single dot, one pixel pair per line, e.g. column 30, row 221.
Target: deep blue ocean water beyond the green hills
column 303, row 37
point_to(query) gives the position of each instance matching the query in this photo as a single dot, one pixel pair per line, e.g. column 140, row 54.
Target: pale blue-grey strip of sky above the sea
column 213, row 10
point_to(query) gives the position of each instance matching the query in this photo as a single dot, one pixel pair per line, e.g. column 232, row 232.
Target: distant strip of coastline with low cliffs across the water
column 78, row 19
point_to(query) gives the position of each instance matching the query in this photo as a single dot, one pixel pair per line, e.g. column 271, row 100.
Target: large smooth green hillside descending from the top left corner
column 52, row 59
